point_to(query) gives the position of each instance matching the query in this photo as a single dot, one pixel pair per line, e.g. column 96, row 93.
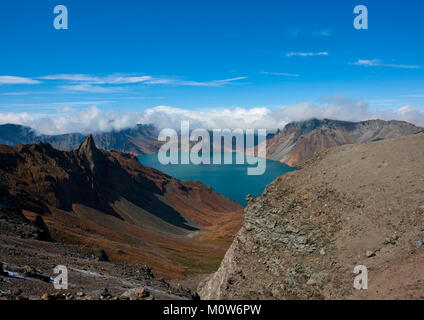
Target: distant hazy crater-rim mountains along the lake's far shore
column 296, row 142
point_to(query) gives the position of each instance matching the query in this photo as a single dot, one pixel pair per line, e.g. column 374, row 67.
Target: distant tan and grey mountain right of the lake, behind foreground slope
column 298, row 141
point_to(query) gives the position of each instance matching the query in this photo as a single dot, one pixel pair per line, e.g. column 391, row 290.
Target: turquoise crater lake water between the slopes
column 230, row 180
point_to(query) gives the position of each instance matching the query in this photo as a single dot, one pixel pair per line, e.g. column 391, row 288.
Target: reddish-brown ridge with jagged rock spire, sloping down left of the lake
column 108, row 200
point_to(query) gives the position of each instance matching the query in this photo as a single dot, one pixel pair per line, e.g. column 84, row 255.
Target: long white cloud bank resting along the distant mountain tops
column 93, row 119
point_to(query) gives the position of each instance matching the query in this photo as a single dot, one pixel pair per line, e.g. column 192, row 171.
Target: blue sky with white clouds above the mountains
column 216, row 63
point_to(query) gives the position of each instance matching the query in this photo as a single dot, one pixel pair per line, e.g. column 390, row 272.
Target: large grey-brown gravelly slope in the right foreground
column 348, row 206
